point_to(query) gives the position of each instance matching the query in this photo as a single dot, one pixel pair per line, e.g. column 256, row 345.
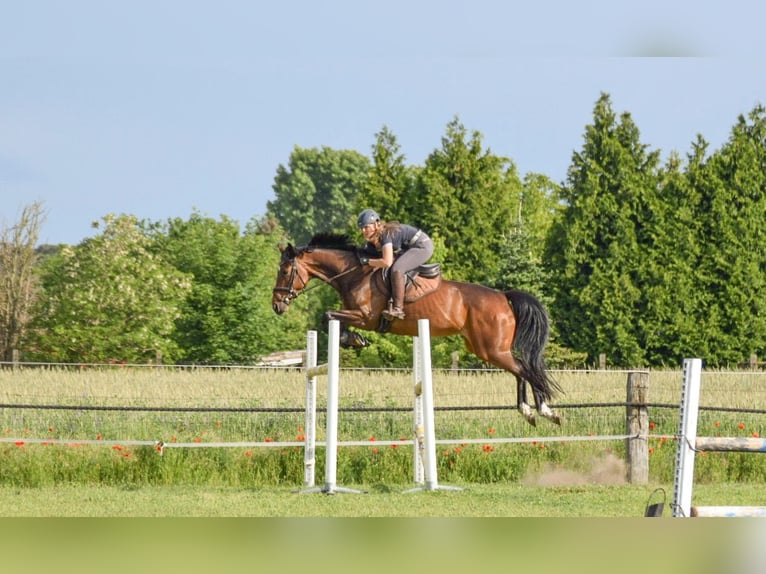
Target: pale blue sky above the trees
column 160, row 108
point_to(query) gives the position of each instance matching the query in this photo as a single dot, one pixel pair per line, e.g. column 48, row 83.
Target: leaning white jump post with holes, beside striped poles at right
column 687, row 437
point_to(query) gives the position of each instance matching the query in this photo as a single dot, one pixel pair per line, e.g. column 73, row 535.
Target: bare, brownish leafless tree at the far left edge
column 18, row 282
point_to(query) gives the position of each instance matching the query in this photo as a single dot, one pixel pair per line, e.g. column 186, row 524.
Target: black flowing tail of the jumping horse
column 532, row 331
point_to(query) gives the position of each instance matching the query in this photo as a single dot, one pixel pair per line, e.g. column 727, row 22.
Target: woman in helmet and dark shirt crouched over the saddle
column 403, row 248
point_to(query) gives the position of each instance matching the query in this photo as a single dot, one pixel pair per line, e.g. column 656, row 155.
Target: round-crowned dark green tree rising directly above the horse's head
column 318, row 191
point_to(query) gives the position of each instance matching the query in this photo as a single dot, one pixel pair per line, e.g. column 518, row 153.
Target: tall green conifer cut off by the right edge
column 733, row 263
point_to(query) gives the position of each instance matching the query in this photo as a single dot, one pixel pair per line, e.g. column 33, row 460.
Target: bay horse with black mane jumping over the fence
column 508, row 329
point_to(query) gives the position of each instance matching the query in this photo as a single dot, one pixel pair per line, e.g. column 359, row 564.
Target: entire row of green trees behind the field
column 644, row 260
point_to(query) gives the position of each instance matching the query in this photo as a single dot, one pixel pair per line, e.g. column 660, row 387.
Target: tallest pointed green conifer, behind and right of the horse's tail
column 598, row 243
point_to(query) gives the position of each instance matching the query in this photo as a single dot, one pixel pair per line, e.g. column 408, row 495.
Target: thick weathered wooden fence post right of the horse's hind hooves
column 637, row 446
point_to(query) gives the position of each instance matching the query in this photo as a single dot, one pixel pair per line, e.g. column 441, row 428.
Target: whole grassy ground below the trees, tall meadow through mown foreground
column 238, row 433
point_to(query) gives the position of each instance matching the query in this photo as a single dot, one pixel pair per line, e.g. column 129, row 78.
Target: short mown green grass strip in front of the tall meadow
column 474, row 500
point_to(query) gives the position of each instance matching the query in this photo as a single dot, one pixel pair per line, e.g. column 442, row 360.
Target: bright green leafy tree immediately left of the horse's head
column 226, row 317
